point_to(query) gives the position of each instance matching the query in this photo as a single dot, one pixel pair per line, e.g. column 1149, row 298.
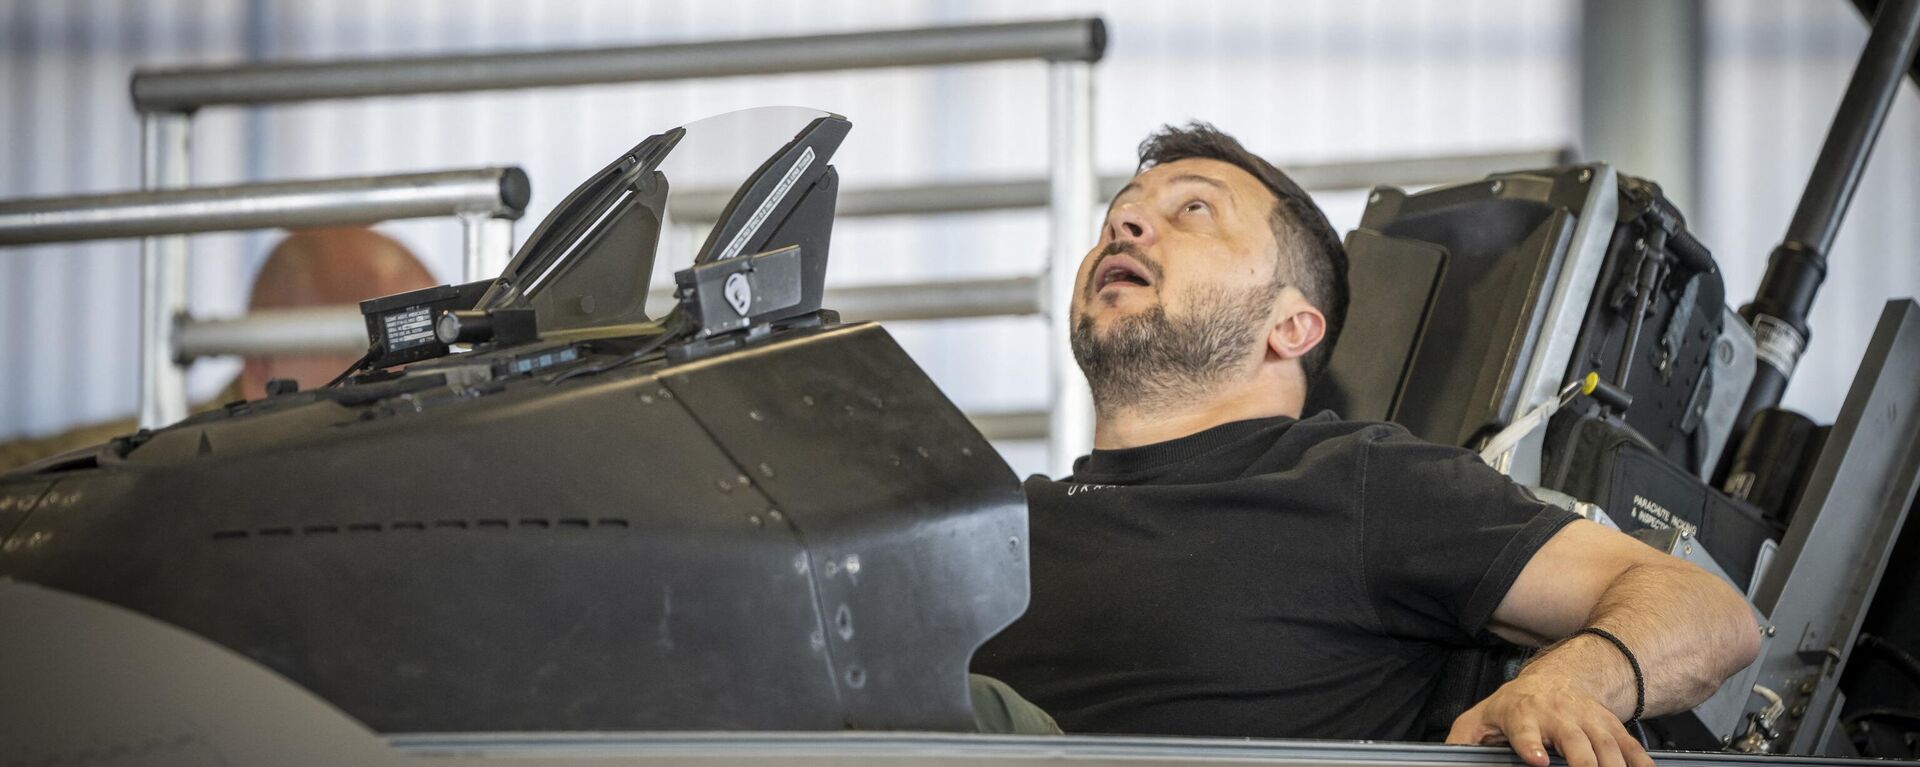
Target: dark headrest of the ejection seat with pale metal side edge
column 1466, row 299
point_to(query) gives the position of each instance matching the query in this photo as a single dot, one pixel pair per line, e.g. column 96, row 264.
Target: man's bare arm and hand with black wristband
column 1687, row 628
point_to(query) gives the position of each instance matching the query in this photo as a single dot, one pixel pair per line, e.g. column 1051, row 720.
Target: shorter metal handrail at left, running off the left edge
column 279, row 205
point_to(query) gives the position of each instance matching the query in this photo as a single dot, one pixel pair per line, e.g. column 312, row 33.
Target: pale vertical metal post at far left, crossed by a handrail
column 164, row 164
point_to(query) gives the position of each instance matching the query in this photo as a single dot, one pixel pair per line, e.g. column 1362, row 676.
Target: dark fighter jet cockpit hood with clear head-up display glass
column 742, row 512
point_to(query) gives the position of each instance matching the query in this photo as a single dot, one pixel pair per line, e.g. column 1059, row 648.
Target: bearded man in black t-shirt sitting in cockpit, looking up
column 1228, row 566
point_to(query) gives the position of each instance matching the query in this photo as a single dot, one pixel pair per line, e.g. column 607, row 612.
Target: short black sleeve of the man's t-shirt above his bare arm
column 1445, row 537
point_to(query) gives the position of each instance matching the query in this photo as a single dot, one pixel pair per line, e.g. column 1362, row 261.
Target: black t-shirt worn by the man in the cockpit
column 1276, row 580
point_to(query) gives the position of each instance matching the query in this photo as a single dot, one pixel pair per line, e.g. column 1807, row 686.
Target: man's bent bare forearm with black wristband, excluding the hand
column 1687, row 630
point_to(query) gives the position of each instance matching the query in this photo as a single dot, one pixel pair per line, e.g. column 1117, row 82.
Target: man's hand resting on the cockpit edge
column 1539, row 712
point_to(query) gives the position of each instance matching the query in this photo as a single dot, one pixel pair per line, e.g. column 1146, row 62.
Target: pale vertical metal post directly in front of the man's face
column 1070, row 220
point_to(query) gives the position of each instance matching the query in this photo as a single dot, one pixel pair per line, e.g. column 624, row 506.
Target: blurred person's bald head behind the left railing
column 325, row 268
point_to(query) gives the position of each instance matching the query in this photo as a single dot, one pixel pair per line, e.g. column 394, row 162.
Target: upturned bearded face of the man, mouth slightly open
column 1182, row 284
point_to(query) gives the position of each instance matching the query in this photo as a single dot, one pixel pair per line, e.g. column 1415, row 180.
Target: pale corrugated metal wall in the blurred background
column 1295, row 80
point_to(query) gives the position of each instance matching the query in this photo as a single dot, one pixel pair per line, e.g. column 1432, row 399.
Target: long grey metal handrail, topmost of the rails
column 187, row 89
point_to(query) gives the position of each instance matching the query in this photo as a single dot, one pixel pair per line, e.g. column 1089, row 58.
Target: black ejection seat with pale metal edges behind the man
column 1477, row 303
